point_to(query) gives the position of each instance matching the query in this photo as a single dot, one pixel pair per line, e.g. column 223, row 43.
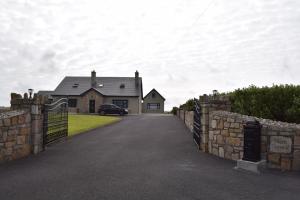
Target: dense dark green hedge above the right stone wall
column 279, row 102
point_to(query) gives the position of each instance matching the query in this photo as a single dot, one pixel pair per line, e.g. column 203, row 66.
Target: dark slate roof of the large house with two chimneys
column 110, row 86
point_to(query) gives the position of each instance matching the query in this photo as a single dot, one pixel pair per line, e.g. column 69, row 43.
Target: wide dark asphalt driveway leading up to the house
column 141, row 157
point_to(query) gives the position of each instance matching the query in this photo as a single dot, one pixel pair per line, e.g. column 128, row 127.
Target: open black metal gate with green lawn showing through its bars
column 55, row 121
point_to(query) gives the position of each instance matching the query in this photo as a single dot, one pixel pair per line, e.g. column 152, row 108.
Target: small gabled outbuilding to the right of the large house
column 153, row 102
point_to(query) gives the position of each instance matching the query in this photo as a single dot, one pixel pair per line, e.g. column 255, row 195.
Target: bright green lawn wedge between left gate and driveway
column 81, row 123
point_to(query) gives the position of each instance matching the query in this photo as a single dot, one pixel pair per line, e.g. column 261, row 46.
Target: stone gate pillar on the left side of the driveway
column 34, row 106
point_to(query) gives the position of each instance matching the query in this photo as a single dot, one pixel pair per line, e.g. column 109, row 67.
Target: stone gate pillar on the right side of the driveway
column 209, row 104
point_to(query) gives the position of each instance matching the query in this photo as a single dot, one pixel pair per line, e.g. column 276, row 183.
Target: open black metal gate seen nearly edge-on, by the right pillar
column 197, row 130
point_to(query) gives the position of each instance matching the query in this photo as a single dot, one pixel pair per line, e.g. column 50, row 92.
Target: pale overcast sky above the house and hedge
column 183, row 48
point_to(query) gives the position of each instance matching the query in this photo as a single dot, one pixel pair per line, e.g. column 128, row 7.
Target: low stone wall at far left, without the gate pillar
column 15, row 135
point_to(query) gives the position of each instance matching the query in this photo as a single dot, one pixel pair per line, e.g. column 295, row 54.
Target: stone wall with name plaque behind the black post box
column 280, row 142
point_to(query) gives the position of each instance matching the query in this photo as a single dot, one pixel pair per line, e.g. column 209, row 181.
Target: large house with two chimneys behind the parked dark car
column 86, row 94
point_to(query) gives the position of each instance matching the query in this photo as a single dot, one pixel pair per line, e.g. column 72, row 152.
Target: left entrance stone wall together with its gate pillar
column 21, row 128
